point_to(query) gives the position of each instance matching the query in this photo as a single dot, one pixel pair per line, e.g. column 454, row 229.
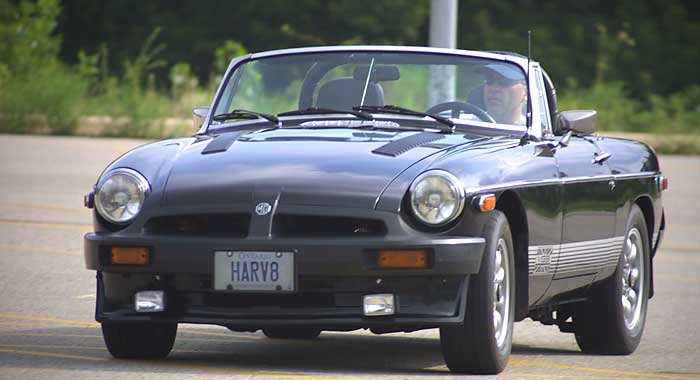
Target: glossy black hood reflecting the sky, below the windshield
column 339, row 167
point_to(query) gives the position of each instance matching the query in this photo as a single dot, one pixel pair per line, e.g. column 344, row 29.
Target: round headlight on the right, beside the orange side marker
column 437, row 197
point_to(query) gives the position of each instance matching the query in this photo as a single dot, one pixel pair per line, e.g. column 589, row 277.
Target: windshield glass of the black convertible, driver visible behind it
column 450, row 86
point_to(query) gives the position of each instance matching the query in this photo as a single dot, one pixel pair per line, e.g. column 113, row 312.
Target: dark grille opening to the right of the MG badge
column 294, row 226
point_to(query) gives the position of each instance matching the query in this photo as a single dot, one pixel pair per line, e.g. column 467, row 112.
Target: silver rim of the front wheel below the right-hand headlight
column 501, row 292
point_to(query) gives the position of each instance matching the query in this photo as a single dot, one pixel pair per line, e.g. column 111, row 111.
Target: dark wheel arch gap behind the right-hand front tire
column 509, row 203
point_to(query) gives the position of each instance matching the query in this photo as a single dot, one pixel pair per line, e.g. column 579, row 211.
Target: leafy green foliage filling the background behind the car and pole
column 635, row 62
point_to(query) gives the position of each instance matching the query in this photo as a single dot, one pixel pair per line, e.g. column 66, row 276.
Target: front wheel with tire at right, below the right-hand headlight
column 479, row 345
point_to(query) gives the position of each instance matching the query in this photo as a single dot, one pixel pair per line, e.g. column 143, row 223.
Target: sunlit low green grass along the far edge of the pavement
column 55, row 99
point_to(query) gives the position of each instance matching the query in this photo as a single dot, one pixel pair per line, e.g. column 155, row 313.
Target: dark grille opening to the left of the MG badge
column 233, row 225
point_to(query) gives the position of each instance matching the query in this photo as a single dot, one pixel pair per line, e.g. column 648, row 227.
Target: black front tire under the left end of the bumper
column 141, row 340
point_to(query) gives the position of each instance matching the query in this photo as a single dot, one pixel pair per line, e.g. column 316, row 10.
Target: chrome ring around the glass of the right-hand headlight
column 453, row 185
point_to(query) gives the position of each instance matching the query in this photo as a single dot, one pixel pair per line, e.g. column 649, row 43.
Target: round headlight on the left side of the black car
column 120, row 195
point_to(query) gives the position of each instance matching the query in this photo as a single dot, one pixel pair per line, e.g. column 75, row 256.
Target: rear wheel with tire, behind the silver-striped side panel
column 601, row 323
